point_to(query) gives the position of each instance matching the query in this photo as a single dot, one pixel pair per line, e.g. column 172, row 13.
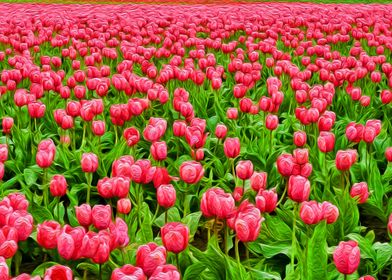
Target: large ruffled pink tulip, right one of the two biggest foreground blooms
column 246, row 222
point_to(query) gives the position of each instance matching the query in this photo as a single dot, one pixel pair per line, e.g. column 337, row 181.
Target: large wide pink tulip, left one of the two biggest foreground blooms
column 215, row 202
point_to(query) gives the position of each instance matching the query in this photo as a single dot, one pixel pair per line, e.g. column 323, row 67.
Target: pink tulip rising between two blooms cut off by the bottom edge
column 149, row 257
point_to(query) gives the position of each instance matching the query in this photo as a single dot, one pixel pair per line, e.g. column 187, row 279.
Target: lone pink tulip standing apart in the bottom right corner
column 347, row 257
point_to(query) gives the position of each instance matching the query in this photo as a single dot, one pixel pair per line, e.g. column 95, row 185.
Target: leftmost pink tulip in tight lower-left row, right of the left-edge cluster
column 47, row 234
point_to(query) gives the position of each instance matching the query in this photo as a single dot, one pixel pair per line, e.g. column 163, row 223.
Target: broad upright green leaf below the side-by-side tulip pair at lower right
column 317, row 259
